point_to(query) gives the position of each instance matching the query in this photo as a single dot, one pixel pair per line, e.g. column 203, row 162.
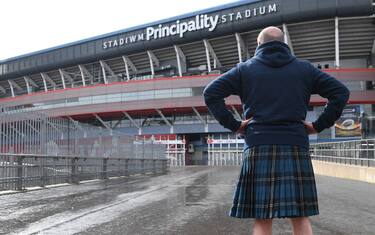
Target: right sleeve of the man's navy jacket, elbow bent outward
column 336, row 93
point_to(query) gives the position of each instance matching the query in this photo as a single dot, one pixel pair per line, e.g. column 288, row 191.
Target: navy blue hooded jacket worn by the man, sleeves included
column 275, row 89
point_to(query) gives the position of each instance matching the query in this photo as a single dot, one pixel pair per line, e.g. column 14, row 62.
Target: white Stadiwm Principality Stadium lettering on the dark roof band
column 199, row 22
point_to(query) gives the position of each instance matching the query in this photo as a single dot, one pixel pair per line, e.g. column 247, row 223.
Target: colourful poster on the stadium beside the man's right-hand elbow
column 349, row 124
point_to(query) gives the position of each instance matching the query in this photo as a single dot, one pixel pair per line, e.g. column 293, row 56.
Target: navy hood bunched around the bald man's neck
column 274, row 54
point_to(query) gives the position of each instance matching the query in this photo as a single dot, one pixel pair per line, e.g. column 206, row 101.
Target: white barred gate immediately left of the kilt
column 224, row 150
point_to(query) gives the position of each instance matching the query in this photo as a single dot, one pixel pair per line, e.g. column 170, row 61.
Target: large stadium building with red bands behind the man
column 148, row 80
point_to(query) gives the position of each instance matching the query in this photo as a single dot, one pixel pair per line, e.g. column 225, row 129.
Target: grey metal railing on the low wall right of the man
column 355, row 152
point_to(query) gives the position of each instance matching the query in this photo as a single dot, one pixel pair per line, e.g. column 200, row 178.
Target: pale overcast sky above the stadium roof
column 31, row 25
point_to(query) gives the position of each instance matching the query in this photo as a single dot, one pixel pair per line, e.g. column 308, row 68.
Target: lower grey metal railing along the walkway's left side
column 21, row 171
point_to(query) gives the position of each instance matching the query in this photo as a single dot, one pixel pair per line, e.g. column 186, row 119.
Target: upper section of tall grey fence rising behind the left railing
column 36, row 133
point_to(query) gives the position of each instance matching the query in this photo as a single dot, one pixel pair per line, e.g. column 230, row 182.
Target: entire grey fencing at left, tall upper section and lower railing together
column 37, row 150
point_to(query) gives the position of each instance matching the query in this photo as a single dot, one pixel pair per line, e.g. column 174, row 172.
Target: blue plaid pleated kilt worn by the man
column 276, row 181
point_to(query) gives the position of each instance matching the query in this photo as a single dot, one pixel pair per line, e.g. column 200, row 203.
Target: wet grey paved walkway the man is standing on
column 191, row 200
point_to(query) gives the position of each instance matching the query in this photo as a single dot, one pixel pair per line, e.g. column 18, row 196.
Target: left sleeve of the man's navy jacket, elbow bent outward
column 227, row 84
